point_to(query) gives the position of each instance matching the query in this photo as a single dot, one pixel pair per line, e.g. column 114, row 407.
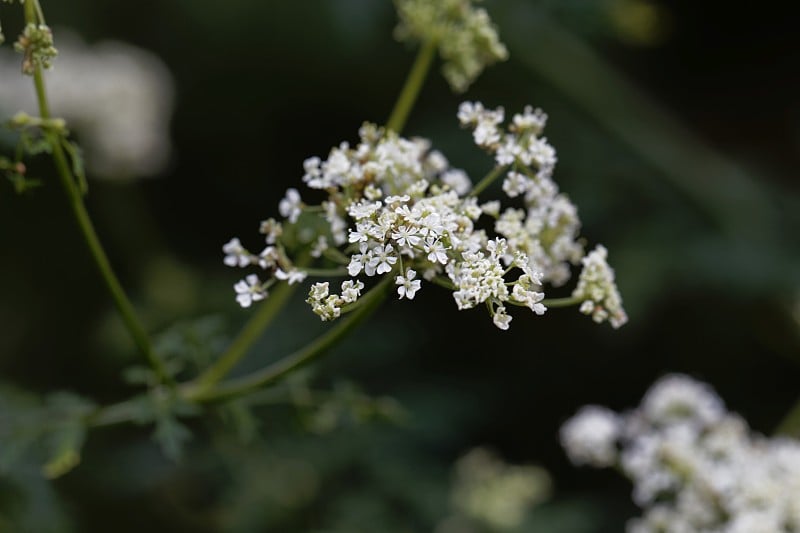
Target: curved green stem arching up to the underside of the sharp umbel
column 274, row 372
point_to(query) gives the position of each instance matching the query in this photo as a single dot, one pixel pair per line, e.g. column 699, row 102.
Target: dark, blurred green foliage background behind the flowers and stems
column 677, row 126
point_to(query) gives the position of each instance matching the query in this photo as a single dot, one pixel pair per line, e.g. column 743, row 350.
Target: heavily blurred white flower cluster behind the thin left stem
column 116, row 97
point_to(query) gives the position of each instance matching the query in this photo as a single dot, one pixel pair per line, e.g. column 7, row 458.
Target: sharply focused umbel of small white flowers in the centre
column 396, row 207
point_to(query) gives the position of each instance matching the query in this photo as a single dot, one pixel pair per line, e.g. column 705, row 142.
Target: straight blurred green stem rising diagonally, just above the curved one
column 250, row 333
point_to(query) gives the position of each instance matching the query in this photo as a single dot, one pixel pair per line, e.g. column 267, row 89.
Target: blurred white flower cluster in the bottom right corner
column 695, row 467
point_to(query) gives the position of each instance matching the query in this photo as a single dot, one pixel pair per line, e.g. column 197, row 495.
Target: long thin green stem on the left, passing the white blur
column 121, row 300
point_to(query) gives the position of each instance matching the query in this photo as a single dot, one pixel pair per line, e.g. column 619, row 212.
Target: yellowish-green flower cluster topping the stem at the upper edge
column 466, row 38
